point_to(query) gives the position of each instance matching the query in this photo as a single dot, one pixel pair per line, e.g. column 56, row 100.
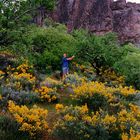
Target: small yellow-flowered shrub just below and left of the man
column 47, row 94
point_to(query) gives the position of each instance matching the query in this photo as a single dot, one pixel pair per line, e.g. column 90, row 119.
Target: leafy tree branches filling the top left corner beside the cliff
column 15, row 10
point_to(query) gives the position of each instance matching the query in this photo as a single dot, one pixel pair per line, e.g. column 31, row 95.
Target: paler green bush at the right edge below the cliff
column 129, row 65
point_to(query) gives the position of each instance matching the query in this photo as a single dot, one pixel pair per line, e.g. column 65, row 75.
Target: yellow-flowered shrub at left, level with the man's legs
column 20, row 77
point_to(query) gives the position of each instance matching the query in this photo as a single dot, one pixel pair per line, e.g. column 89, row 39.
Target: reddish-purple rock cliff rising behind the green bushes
column 101, row 16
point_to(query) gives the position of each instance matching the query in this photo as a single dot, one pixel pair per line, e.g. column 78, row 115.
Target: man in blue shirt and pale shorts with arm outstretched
column 65, row 65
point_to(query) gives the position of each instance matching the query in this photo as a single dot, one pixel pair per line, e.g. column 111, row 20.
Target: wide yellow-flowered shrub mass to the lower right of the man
column 98, row 95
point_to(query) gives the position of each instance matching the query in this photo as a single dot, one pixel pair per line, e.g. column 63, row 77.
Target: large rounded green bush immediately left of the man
column 49, row 45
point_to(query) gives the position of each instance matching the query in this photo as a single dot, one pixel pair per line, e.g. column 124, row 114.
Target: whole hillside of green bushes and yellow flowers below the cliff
column 98, row 100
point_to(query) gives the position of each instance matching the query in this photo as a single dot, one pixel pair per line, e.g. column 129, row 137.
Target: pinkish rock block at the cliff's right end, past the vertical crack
column 126, row 21
